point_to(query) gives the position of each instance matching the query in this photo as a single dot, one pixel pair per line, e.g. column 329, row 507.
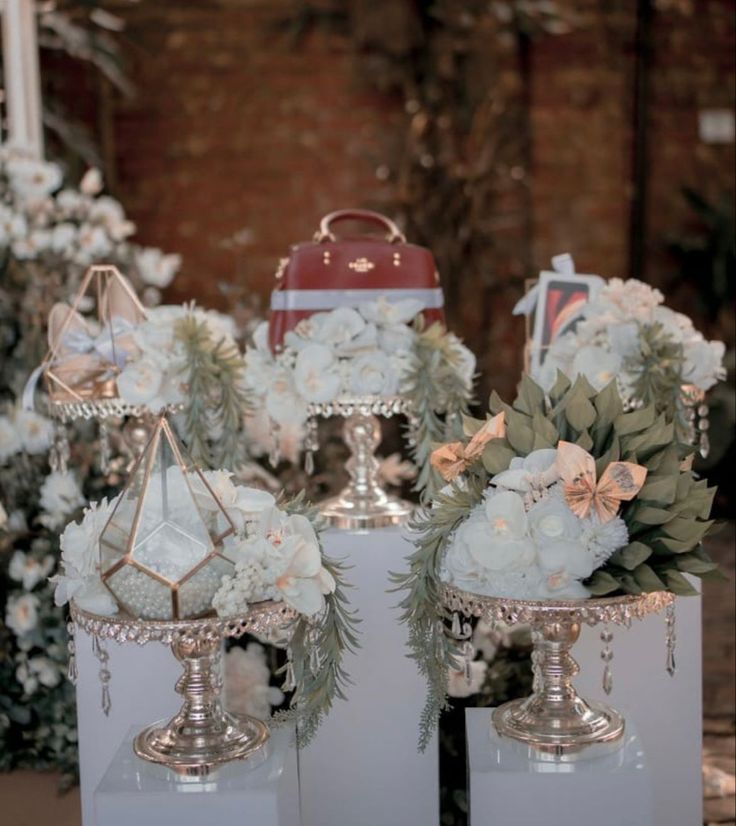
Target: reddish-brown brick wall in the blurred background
column 250, row 124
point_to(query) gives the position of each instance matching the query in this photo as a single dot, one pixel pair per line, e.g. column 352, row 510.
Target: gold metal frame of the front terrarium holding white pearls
column 149, row 456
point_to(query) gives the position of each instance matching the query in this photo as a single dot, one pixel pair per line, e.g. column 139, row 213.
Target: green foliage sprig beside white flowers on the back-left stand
column 216, row 397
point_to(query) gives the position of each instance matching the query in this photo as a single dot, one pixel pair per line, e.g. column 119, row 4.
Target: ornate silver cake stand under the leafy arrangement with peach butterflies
column 555, row 722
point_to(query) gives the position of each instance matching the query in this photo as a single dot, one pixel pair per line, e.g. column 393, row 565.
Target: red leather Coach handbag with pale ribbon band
column 328, row 272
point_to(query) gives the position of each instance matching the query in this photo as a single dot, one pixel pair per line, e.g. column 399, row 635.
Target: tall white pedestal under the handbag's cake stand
column 363, row 767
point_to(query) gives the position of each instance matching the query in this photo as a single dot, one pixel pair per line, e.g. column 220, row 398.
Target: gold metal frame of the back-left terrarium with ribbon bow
column 104, row 274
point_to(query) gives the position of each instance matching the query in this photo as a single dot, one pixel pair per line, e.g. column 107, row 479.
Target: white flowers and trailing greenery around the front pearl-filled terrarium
column 278, row 556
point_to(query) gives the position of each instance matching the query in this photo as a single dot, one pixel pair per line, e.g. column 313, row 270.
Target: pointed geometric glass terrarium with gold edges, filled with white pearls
column 161, row 551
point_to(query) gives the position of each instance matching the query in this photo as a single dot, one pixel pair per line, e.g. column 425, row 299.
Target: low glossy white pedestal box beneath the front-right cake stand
column 506, row 788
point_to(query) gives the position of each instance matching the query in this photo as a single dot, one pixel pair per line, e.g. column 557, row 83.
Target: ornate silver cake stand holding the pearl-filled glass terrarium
column 202, row 736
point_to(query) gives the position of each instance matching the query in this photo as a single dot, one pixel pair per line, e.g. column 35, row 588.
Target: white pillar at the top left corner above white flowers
column 21, row 75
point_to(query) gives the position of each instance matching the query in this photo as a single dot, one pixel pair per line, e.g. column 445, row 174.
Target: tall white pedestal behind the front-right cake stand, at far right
column 667, row 711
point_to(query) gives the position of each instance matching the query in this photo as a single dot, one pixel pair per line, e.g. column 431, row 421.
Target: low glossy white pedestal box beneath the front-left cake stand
column 261, row 790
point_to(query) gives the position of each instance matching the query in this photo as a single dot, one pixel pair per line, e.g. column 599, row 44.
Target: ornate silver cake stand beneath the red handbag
column 363, row 503
